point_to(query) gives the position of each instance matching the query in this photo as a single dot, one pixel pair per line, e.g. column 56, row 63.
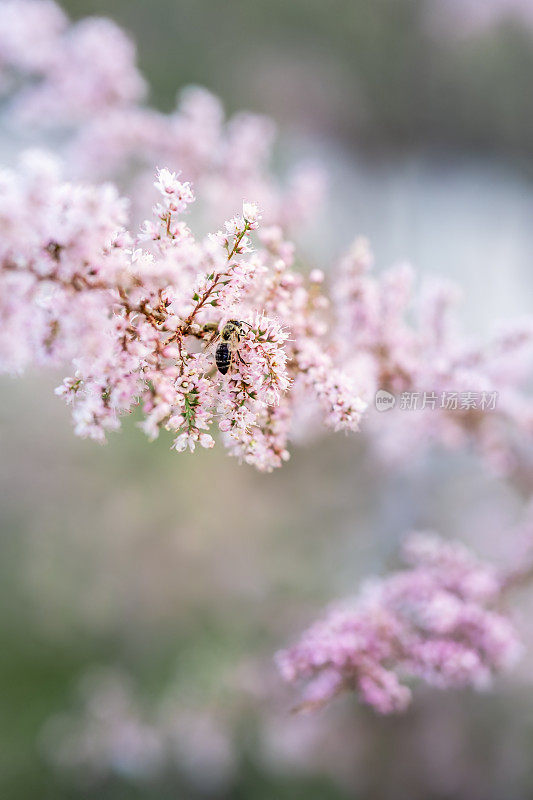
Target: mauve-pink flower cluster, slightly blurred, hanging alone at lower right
column 436, row 621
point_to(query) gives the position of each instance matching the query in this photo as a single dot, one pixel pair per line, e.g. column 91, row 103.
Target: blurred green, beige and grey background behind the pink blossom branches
column 143, row 593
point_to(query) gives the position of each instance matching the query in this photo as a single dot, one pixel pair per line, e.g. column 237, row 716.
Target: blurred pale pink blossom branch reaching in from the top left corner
column 82, row 81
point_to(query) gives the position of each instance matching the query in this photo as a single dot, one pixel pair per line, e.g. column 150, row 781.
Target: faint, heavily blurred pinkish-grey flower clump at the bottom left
column 112, row 732
